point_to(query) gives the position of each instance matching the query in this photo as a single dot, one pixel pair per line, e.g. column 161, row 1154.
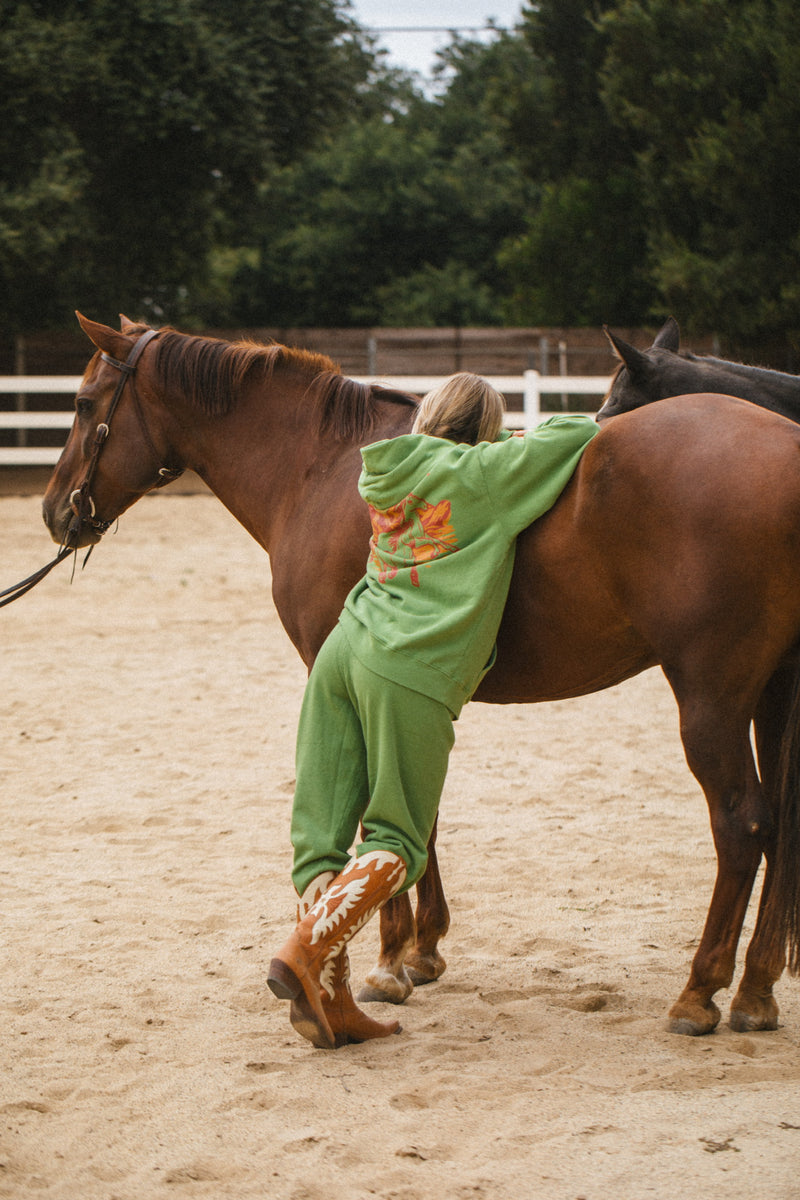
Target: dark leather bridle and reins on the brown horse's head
column 81, row 501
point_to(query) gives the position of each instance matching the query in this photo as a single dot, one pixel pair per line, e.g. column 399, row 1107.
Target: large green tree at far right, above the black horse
column 711, row 94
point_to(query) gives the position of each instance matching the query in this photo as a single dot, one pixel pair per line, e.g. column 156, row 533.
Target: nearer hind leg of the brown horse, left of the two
column 717, row 741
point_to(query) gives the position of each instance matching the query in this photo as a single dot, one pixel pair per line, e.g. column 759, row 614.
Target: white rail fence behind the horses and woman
column 531, row 386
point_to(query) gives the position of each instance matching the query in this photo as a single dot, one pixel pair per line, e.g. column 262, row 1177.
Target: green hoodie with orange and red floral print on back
column 446, row 521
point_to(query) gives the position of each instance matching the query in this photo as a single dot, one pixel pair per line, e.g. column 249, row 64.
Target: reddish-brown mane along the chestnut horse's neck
column 210, row 373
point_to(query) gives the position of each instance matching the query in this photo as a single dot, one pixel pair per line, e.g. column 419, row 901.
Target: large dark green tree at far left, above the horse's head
column 137, row 136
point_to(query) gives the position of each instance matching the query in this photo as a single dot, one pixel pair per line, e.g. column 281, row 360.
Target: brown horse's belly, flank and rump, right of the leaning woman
column 683, row 520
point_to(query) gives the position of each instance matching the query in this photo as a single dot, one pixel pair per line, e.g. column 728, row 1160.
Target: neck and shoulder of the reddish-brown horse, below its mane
column 294, row 490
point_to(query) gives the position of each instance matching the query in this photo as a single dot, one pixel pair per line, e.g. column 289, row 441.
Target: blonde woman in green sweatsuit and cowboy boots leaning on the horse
column 414, row 640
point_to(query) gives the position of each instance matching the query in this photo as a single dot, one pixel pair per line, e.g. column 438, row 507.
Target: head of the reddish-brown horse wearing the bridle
column 116, row 453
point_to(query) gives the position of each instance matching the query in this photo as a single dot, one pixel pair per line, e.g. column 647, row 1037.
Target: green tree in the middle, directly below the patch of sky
column 395, row 220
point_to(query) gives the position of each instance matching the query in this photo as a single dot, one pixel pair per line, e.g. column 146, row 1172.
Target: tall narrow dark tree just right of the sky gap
column 582, row 259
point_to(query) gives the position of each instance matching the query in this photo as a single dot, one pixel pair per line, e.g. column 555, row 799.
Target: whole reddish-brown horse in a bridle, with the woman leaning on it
column 665, row 549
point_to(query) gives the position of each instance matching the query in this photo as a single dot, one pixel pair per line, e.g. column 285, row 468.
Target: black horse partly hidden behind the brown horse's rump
column 663, row 371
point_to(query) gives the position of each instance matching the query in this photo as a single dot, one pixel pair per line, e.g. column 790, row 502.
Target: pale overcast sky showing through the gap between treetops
column 417, row 51
